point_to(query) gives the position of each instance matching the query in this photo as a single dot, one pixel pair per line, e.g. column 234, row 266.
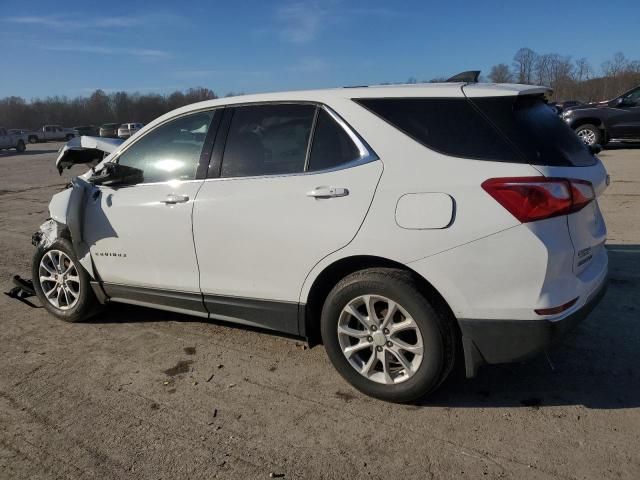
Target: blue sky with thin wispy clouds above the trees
column 71, row 48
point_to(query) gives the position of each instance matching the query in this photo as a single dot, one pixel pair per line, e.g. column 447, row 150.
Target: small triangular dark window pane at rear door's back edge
column 332, row 146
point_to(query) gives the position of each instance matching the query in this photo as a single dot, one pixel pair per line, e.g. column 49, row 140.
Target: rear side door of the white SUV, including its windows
column 293, row 185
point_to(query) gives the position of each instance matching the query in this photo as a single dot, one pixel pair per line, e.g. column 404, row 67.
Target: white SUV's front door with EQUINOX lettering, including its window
column 141, row 236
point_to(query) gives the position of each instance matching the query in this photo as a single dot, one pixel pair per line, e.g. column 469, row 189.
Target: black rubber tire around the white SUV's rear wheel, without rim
column 438, row 334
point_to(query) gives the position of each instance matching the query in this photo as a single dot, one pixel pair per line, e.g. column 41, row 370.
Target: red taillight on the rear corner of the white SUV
column 535, row 198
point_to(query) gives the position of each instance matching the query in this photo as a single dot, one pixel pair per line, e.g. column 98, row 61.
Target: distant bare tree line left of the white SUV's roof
column 97, row 109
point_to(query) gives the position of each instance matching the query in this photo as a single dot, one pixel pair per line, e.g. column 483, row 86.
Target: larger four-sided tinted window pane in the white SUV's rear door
column 267, row 140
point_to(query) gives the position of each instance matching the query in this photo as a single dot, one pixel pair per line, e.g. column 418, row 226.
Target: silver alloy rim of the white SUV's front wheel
column 59, row 279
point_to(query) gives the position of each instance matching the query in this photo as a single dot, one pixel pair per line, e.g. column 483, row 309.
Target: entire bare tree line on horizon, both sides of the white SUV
column 570, row 79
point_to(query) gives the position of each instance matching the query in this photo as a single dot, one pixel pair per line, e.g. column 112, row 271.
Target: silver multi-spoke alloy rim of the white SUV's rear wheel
column 380, row 340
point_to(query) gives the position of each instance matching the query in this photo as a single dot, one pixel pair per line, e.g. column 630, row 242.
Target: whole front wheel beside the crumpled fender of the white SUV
column 61, row 284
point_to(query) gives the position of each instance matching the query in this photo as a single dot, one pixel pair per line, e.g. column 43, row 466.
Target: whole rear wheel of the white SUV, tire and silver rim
column 384, row 337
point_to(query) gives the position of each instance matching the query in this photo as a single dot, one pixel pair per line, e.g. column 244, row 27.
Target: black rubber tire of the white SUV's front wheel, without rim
column 86, row 305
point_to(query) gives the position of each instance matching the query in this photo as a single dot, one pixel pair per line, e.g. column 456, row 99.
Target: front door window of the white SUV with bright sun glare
column 170, row 151
